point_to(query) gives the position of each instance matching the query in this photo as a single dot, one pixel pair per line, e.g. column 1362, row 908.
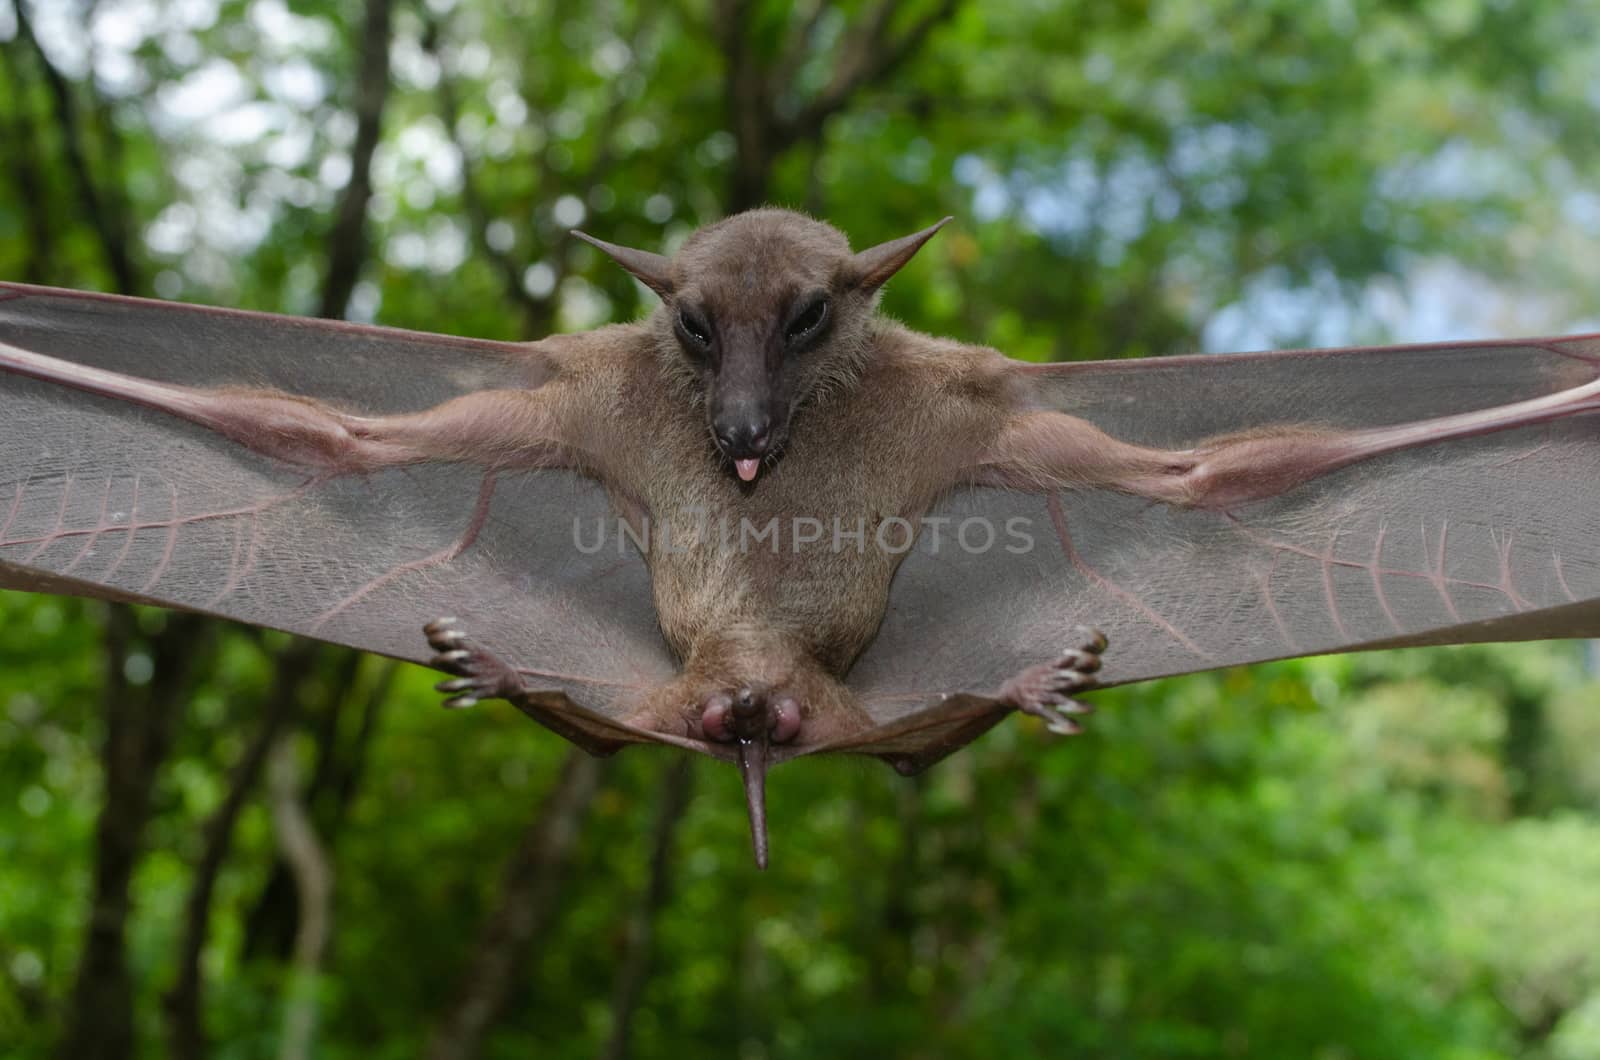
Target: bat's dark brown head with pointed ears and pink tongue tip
column 764, row 313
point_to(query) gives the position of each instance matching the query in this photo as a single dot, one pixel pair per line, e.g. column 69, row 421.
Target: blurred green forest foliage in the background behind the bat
column 1386, row 856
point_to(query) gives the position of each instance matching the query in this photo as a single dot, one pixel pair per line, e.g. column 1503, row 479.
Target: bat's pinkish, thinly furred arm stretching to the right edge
column 1049, row 451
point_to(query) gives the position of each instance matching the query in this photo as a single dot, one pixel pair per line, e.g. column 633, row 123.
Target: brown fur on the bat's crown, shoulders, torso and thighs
column 863, row 406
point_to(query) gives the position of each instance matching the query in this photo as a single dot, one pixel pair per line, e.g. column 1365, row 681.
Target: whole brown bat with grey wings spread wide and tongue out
column 767, row 521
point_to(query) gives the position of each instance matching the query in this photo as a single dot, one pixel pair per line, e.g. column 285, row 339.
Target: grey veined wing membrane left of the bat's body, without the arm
column 108, row 499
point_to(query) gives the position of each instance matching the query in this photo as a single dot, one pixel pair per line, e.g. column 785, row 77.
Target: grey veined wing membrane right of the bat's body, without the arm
column 1484, row 539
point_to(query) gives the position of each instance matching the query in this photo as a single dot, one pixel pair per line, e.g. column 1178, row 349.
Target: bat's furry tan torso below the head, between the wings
column 793, row 563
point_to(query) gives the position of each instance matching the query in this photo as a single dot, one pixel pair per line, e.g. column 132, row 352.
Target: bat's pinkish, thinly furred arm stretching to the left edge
column 490, row 428
